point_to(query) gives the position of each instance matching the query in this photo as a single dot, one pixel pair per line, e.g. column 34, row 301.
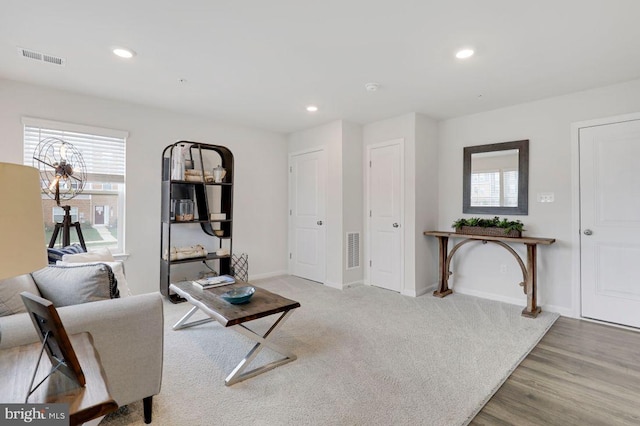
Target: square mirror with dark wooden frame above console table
column 496, row 178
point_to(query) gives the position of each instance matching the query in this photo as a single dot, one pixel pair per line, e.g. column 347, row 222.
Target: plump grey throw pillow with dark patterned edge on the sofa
column 72, row 285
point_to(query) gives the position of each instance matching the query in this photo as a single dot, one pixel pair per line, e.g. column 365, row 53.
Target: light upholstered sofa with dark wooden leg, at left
column 127, row 332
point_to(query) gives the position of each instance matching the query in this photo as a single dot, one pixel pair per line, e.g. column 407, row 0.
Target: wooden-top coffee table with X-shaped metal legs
column 262, row 304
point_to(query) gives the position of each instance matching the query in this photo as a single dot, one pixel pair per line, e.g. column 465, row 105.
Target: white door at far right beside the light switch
column 610, row 222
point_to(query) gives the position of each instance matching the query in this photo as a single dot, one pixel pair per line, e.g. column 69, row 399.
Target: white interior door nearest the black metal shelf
column 308, row 188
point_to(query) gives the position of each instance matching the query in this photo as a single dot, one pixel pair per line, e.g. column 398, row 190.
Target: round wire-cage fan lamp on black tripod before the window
column 63, row 175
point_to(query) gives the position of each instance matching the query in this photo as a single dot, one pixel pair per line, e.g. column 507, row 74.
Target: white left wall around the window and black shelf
column 260, row 197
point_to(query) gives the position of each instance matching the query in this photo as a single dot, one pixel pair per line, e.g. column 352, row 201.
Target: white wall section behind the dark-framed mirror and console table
column 547, row 124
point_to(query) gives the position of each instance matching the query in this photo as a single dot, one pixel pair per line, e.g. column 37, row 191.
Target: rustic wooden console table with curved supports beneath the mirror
column 528, row 272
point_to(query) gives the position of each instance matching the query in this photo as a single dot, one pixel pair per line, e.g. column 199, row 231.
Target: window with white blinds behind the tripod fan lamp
column 99, row 208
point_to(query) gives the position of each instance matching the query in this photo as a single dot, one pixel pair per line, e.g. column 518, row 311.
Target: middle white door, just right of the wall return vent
column 385, row 215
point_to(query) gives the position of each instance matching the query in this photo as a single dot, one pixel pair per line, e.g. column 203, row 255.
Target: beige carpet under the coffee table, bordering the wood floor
column 366, row 356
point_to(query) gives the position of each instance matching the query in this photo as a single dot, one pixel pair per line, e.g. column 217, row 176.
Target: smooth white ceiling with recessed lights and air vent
column 259, row 63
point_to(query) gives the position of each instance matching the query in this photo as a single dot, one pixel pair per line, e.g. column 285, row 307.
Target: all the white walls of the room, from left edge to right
column 261, row 180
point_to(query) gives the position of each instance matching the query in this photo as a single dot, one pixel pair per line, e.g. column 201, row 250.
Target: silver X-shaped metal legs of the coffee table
column 238, row 374
